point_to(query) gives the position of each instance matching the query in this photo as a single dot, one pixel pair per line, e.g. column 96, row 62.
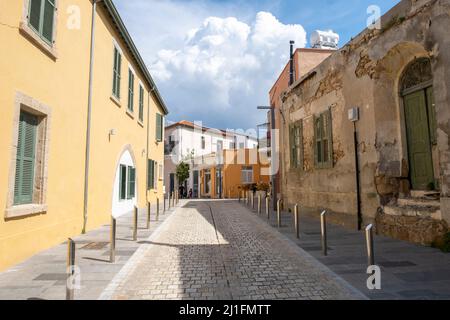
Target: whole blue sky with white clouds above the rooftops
column 215, row 61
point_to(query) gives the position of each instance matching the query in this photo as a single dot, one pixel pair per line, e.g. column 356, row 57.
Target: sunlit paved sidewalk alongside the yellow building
column 43, row 276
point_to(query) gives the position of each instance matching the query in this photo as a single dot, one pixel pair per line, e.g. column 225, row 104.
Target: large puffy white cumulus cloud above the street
column 225, row 68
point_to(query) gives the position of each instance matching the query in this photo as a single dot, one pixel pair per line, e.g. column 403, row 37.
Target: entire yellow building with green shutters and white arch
column 81, row 123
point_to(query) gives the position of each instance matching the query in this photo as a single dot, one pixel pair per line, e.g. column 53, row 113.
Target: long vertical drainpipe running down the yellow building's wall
column 88, row 127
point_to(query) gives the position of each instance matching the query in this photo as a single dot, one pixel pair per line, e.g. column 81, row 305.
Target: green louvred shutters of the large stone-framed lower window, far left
column 26, row 150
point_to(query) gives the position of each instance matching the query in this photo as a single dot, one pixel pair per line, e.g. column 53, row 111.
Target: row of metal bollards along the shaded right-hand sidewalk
column 250, row 201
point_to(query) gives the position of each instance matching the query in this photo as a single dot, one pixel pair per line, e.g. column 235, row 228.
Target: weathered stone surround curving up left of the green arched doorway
column 391, row 142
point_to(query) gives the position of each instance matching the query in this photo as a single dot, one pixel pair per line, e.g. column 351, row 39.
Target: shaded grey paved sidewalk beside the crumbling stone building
column 408, row 271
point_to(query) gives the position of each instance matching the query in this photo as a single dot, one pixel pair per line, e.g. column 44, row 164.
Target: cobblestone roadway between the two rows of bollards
column 220, row 250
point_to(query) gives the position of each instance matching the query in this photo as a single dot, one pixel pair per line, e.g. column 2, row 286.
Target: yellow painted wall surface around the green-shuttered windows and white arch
column 59, row 79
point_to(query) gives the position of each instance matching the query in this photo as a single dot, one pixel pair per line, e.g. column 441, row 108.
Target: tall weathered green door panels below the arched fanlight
column 419, row 142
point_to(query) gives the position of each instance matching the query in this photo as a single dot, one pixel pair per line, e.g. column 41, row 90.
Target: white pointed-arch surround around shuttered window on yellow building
column 128, row 158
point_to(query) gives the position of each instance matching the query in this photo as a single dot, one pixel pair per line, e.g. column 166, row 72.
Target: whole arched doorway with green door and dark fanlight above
column 416, row 89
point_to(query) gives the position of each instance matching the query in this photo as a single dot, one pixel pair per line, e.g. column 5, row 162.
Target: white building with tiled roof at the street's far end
column 185, row 140
